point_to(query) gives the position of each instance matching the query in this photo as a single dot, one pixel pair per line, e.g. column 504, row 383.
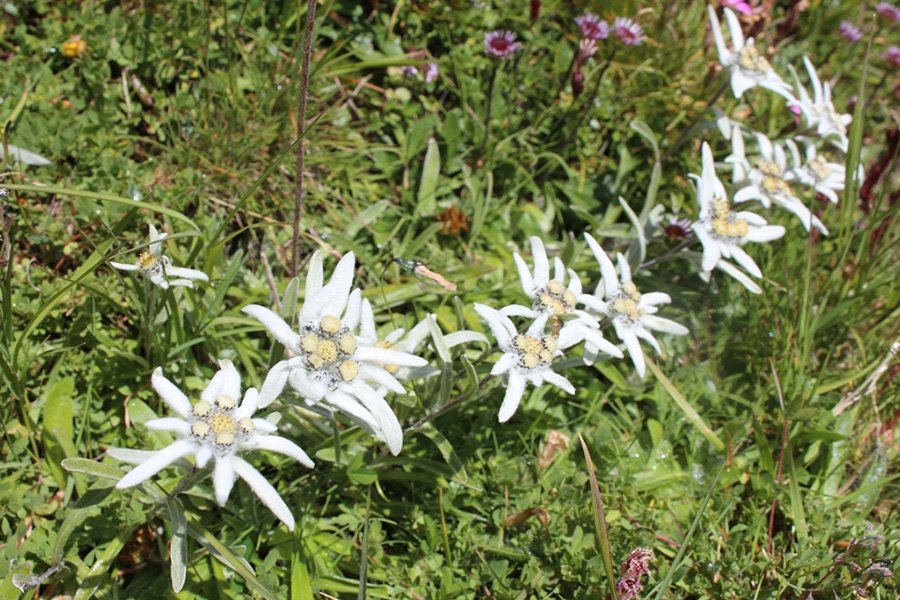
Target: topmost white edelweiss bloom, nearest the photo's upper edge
column 748, row 67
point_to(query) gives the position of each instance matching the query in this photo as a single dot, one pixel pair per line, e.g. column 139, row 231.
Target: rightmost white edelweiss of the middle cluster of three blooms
column 631, row 312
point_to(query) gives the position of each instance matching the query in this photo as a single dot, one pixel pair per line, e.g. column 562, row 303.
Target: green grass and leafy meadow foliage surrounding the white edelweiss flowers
column 208, row 149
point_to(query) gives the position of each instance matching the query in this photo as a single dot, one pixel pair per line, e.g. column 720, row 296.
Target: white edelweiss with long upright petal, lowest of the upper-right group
column 723, row 231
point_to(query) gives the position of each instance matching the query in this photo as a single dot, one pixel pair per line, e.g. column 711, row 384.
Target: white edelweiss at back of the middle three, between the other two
column 552, row 298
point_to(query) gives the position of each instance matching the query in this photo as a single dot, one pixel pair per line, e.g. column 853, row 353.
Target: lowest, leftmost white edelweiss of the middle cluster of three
column 526, row 357
